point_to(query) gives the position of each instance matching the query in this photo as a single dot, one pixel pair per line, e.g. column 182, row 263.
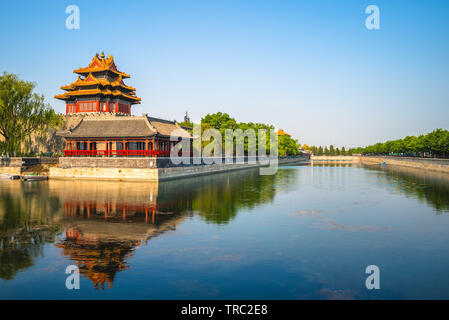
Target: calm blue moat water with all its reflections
column 304, row 233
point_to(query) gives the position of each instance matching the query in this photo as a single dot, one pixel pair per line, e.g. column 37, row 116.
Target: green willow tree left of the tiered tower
column 22, row 113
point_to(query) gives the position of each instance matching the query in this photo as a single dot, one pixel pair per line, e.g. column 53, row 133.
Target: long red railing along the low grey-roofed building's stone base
column 116, row 153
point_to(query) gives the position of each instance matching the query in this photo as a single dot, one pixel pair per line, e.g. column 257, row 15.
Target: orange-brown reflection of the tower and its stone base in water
column 105, row 222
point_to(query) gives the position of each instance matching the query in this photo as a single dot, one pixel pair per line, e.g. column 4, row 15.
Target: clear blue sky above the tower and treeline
column 311, row 68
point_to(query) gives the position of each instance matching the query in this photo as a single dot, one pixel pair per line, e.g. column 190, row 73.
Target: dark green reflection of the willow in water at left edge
column 28, row 221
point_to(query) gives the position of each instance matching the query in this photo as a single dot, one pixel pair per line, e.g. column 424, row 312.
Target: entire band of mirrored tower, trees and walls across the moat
column 98, row 225
